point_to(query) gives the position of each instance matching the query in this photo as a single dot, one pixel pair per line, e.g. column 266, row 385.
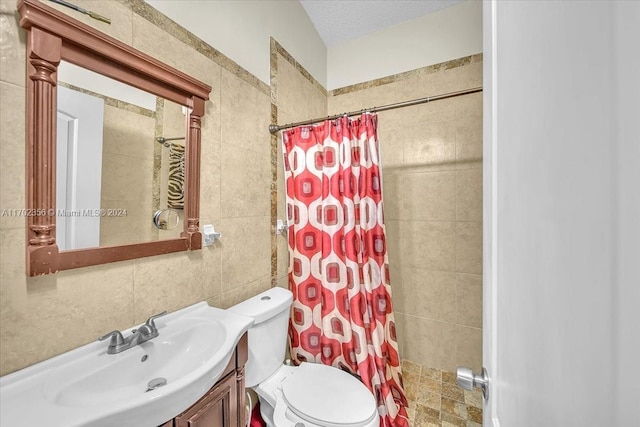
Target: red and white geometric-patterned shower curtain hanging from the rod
column 342, row 312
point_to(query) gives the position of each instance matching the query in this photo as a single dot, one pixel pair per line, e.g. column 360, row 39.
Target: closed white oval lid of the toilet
column 324, row 395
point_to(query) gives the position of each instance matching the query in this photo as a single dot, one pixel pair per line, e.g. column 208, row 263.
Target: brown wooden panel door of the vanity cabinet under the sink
column 214, row 409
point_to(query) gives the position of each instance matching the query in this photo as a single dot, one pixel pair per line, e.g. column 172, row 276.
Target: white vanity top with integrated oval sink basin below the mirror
column 88, row 387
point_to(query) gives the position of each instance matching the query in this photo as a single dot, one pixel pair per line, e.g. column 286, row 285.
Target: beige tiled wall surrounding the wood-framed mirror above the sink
column 44, row 316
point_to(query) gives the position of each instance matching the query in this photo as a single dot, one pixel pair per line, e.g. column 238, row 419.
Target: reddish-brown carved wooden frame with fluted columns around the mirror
column 51, row 37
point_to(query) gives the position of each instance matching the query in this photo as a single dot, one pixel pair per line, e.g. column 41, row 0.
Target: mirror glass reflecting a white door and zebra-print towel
column 112, row 174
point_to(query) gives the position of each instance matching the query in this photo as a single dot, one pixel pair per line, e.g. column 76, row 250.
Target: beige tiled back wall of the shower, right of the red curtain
column 432, row 165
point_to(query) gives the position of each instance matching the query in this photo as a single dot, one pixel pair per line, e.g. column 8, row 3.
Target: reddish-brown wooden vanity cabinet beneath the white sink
column 224, row 404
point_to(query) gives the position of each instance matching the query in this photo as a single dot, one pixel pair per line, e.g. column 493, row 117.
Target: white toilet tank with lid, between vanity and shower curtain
column 268, row 335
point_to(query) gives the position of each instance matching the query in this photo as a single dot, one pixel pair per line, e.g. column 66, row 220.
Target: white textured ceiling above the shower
column 339, row 21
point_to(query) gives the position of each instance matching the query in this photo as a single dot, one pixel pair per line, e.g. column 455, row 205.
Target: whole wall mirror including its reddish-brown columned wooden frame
column 97, row 174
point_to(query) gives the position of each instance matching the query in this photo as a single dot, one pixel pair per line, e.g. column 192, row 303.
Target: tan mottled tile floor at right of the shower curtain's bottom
column 436, row 401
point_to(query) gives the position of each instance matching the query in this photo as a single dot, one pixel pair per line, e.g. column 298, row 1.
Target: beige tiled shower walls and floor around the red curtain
column 432, row 191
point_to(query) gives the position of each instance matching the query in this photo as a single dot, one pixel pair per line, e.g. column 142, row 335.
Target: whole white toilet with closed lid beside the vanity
column 309, row 395
